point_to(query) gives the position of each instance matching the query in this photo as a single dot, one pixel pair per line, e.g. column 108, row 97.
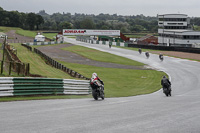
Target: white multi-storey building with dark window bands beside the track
column 175, row 30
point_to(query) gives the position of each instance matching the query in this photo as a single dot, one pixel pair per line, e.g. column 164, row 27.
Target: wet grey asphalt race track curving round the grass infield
column 152, row 113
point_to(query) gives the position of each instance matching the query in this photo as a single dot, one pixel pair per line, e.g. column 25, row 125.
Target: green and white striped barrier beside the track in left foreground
column 23, row 86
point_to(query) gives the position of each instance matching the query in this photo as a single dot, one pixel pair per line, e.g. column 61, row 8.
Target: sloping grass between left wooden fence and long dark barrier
column 37, row 65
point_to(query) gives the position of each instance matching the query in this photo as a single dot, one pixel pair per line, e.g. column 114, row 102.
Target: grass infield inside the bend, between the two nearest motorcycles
column 122, row 82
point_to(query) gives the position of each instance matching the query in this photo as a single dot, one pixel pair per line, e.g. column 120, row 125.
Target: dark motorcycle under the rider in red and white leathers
column 98, row 90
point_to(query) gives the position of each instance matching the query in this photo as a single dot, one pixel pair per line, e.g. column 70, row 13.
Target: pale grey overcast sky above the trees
column 121, row 7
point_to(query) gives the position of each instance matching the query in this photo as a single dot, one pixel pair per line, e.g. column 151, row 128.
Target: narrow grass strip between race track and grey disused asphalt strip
column 101, row 56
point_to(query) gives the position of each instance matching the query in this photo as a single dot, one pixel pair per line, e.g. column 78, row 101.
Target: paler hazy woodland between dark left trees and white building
column 127, row 24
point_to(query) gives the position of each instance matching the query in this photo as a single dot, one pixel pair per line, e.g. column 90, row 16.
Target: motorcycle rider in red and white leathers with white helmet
column 95, row 81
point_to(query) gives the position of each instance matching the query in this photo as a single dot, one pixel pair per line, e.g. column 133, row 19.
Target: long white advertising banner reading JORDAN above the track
column 91, row 32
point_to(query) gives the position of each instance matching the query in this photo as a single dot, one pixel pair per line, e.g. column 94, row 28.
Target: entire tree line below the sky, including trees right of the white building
column 59, row 21
